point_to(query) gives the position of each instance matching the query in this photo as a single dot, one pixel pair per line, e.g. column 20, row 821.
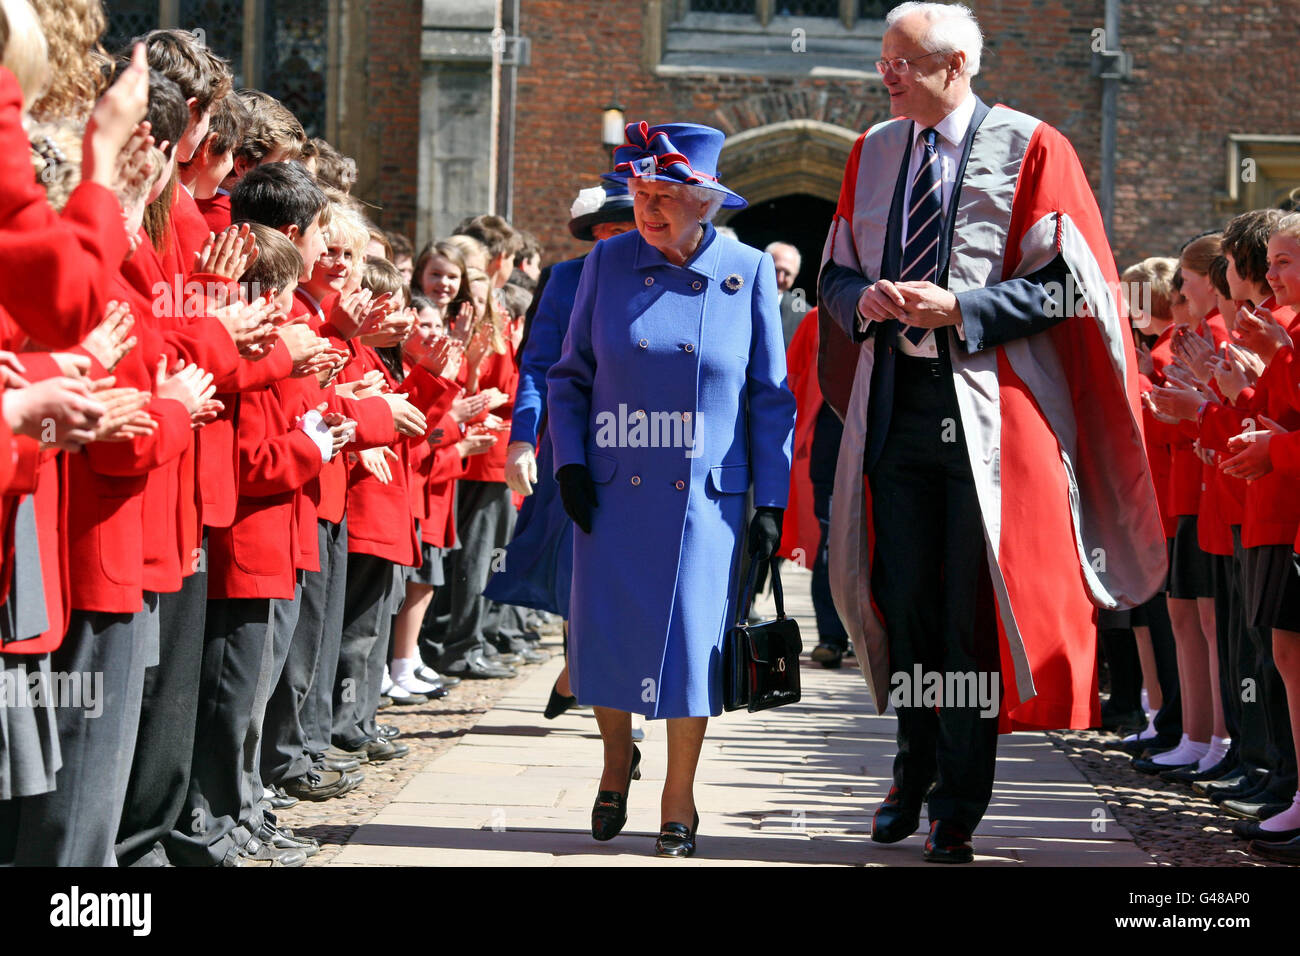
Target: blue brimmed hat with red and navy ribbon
column 683, row 153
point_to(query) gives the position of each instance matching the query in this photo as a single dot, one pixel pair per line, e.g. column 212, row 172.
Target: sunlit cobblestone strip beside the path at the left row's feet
column 428, row 730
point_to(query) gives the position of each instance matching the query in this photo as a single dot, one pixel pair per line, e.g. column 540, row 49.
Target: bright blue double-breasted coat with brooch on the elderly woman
column 671, row 391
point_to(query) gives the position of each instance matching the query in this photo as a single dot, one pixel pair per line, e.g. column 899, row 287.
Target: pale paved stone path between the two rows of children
column 794, row 786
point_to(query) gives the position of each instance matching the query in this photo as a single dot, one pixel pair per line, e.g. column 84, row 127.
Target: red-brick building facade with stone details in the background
column 1208, row 122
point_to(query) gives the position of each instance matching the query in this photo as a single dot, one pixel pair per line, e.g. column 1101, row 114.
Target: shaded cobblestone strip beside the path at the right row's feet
column 1176, row 825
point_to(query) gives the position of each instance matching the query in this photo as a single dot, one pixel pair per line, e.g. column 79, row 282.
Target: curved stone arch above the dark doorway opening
column 786, row 158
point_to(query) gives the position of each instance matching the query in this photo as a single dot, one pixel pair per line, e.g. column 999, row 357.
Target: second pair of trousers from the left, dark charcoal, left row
column 164, row 747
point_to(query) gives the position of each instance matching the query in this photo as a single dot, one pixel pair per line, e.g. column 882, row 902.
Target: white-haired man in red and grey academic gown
column 998, row 514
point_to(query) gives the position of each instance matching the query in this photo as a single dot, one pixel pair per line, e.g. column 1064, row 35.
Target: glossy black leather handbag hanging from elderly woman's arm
column 761, row 663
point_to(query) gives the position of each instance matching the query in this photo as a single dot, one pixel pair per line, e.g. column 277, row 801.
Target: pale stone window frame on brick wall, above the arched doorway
column 694, row 44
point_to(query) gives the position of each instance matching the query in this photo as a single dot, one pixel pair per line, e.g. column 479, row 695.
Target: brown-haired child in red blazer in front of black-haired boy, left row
column 252, row 577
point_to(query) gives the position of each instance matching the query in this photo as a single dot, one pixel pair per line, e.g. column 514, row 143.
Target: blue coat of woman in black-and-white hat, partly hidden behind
column 538, row 572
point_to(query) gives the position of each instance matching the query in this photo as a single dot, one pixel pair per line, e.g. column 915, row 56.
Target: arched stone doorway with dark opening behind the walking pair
column 791, row 175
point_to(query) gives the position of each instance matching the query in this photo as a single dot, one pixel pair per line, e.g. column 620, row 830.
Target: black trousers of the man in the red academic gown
column 933, row 585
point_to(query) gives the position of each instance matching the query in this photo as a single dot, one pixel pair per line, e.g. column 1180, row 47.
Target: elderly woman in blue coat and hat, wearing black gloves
column 668, row 404
